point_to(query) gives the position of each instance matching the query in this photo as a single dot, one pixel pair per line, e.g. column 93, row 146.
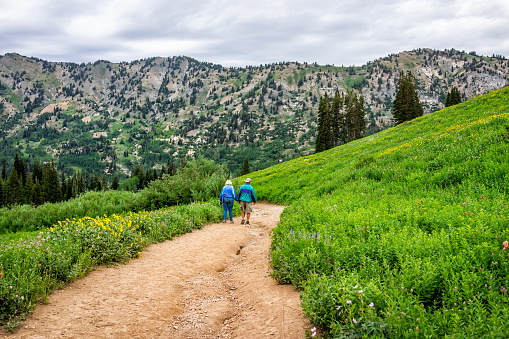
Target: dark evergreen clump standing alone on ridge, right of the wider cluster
column 406, row 105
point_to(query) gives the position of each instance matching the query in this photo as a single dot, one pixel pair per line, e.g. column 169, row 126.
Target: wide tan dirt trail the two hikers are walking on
column 211, row 283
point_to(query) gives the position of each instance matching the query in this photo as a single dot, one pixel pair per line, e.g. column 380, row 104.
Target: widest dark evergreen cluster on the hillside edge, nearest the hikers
column 340, row 120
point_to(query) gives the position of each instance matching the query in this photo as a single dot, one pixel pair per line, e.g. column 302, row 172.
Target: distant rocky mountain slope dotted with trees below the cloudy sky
column 108, row 117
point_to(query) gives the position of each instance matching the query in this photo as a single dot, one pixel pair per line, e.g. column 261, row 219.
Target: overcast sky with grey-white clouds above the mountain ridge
column 252, row 32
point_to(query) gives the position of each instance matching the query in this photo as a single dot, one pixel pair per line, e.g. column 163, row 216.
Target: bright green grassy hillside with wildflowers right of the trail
column 403, row 233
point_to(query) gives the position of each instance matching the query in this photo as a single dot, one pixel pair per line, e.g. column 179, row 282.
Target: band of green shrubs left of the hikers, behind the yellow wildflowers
column 199, row 180
